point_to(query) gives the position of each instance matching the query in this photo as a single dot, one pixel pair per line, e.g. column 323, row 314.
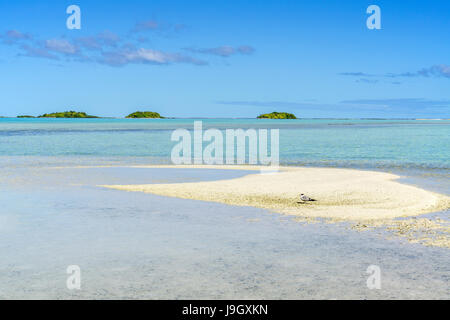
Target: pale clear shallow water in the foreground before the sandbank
column 142, row 246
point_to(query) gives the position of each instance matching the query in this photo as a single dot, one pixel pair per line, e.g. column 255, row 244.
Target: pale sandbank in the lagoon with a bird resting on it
column 342, row 194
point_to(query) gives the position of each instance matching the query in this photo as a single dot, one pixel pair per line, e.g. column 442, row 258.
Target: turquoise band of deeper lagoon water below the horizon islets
column 345, row 143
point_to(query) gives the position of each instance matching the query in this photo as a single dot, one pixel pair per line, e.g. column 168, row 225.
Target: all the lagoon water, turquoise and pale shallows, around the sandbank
column 135, row 245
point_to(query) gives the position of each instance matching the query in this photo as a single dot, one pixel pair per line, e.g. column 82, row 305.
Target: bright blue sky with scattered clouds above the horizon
column 226, row 58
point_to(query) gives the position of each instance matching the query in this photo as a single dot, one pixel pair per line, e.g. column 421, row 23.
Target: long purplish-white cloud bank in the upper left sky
column 108, row 48
